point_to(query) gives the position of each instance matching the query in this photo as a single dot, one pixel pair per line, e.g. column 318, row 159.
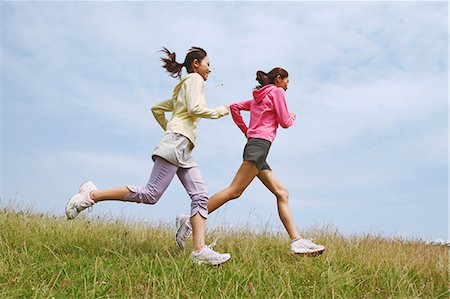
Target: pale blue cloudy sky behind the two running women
column 368, row 153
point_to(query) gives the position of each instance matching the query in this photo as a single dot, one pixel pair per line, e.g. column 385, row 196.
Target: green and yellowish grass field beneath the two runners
column 44, row 257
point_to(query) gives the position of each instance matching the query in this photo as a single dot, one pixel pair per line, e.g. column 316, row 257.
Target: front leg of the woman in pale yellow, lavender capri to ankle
column 192, row 181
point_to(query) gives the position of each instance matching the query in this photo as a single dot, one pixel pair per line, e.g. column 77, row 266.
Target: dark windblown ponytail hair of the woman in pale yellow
column 174, row 68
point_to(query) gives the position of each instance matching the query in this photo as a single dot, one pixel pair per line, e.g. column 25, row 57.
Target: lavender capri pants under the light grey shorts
column 160, row 178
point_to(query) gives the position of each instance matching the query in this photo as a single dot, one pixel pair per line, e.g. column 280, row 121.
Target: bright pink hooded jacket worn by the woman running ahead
column 268, row 109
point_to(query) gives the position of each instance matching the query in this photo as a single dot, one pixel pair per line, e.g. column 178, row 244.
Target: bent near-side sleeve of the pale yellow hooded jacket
column 194, row 105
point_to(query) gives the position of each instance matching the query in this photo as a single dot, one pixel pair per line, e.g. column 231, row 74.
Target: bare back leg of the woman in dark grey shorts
column 242, row 179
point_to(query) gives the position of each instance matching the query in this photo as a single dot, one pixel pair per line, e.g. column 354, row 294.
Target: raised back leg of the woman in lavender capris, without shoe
column 160, row 178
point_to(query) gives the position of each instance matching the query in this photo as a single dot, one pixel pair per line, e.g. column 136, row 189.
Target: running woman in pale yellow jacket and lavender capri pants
column 173, row 154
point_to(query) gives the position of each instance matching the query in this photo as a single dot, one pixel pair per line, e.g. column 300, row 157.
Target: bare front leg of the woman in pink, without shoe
column 280, row 191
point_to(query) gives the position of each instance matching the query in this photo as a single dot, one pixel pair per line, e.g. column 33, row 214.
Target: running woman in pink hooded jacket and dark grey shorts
column 268, row 110
